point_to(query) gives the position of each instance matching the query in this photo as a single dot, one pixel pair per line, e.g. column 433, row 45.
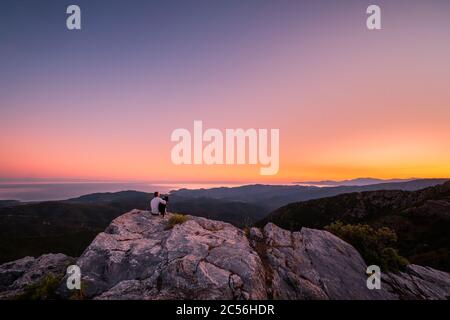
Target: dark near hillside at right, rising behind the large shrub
column 420, row 218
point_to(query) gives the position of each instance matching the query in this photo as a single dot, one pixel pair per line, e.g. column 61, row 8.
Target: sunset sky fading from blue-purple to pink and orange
column 101, row 103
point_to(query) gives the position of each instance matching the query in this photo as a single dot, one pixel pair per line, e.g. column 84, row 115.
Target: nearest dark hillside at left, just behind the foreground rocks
column 33, row 229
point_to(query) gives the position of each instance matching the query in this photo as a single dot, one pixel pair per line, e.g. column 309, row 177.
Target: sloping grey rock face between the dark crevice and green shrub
column 313, row 264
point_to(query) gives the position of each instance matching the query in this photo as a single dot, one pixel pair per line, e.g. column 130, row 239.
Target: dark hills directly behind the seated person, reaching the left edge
column 69, row 226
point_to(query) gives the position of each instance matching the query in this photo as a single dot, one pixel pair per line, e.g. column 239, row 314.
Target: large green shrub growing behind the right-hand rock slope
column 376, row 246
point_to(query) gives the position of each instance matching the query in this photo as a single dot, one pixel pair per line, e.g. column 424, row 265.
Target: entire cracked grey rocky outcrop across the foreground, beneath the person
column 140, row 256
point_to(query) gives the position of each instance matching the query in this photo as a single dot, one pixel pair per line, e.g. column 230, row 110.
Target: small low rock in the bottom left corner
column 17, row 276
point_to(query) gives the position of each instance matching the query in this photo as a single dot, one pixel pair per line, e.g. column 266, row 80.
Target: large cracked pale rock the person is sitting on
column 139, row 257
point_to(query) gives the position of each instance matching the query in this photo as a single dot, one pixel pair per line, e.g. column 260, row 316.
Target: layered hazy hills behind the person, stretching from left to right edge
column 68, row 226
